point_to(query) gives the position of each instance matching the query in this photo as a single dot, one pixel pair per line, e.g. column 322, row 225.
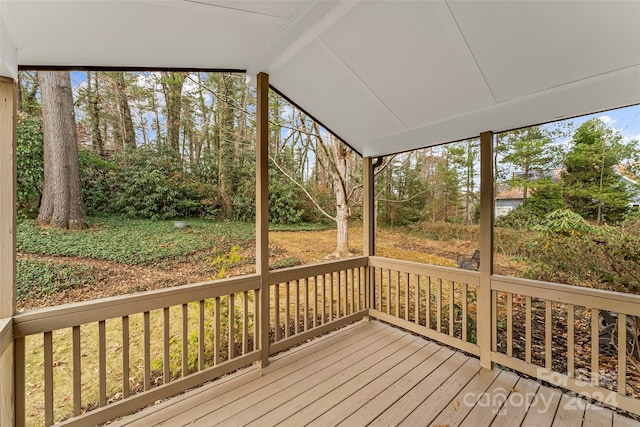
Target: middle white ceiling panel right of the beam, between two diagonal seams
column 409, row 57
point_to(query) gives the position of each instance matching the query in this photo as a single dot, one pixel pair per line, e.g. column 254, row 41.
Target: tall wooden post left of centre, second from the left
column 262, row 210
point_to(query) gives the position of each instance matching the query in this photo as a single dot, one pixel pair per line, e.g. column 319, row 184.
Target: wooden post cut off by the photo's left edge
column 8, row 106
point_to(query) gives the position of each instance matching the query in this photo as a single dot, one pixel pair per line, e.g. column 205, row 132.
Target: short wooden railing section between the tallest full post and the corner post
column 311, row 300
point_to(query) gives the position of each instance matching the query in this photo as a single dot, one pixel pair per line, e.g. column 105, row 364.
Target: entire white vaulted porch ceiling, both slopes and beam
column 386, row 76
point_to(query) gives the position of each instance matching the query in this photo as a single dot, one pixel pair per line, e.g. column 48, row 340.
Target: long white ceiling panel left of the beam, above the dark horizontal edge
column 145, row 34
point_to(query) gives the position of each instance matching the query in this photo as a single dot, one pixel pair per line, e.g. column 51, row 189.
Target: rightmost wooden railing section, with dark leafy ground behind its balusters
column 561, row 333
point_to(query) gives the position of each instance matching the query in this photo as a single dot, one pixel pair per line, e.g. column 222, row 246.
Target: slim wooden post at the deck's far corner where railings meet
column 368, row 228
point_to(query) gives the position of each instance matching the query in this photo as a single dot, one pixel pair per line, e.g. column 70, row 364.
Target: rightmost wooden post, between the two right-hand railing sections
column 486, row 248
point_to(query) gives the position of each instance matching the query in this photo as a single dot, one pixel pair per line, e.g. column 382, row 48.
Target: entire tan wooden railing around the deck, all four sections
column 160, row 343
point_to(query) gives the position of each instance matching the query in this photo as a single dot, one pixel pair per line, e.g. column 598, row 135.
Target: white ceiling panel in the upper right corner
column 524, row 47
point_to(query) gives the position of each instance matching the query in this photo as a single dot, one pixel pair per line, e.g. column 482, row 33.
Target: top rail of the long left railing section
column 68, row 315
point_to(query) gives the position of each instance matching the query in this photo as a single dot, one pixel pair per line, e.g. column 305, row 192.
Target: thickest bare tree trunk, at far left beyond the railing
column 61, row 198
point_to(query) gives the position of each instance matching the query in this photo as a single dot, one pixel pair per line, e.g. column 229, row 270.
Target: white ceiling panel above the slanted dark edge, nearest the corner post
column 317, row 81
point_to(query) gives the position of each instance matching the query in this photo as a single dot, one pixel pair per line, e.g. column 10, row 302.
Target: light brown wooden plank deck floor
column 373, row 374
